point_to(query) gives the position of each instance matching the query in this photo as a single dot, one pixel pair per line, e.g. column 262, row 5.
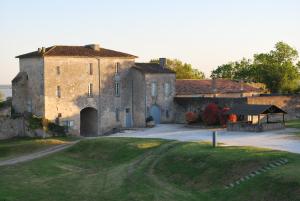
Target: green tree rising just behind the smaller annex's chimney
column 183, row 70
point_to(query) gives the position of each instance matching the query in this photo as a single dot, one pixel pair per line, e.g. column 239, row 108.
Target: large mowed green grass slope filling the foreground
column 125, row 169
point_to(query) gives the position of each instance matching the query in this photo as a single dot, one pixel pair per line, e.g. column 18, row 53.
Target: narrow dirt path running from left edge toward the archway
column 38, row 154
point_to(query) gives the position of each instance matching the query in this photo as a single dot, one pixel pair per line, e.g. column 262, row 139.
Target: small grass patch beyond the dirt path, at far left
column 20, row 146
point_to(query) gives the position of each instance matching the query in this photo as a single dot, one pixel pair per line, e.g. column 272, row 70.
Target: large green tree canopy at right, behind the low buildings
column 277, row 69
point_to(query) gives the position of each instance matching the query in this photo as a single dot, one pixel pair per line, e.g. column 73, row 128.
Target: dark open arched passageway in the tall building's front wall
column 88, row 122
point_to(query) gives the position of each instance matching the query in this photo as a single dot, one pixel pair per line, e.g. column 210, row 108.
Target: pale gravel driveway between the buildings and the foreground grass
column 281, row 139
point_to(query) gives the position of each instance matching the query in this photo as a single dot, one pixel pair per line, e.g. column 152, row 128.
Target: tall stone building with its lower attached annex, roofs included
column 92, row 90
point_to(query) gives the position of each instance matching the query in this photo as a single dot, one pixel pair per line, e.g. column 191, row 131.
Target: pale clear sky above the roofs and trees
column 204, row 33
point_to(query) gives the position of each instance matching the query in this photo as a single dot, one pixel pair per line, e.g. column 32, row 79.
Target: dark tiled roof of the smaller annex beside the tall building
column 152, row 68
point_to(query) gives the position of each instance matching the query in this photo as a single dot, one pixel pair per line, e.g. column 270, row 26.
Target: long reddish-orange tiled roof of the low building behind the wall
column 195, row 87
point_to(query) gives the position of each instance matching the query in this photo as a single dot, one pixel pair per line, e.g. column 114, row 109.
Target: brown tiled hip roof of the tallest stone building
column 80, row 51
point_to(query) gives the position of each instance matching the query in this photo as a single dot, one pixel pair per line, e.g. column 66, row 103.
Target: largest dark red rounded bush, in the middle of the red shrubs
column 211, row 114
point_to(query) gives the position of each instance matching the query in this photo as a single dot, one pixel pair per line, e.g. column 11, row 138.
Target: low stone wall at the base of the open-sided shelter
column 254, row 127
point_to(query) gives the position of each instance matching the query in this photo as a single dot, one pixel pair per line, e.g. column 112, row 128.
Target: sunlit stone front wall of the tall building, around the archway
column 74, row 79
